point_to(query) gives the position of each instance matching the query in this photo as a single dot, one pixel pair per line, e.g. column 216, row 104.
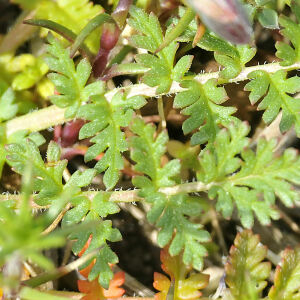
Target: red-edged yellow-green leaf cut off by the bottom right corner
column 287, row 279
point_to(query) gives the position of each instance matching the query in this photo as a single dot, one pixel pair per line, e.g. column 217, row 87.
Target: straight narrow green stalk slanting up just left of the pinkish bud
column 181, row 26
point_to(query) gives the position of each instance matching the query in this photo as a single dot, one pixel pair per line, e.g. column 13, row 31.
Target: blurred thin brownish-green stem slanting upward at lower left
column 59, row 272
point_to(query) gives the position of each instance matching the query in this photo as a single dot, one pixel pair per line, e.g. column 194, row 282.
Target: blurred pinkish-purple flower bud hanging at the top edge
column 227, row 18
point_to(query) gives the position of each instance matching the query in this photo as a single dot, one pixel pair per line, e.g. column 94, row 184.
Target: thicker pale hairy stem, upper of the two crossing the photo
column 53, row 115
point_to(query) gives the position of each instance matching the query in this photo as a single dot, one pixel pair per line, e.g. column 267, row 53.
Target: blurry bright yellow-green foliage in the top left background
column 72, row 14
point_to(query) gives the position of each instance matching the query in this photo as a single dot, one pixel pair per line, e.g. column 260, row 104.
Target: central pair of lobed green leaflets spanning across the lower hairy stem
column 169, row 213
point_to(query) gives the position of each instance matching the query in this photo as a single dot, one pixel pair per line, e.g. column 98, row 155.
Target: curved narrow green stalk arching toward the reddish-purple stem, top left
column 91, row 26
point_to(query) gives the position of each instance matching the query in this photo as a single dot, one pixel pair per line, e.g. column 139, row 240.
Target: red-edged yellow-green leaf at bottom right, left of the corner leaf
column 246, row 274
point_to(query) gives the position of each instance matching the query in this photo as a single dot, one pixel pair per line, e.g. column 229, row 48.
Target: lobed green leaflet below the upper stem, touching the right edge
column 274, row 90
